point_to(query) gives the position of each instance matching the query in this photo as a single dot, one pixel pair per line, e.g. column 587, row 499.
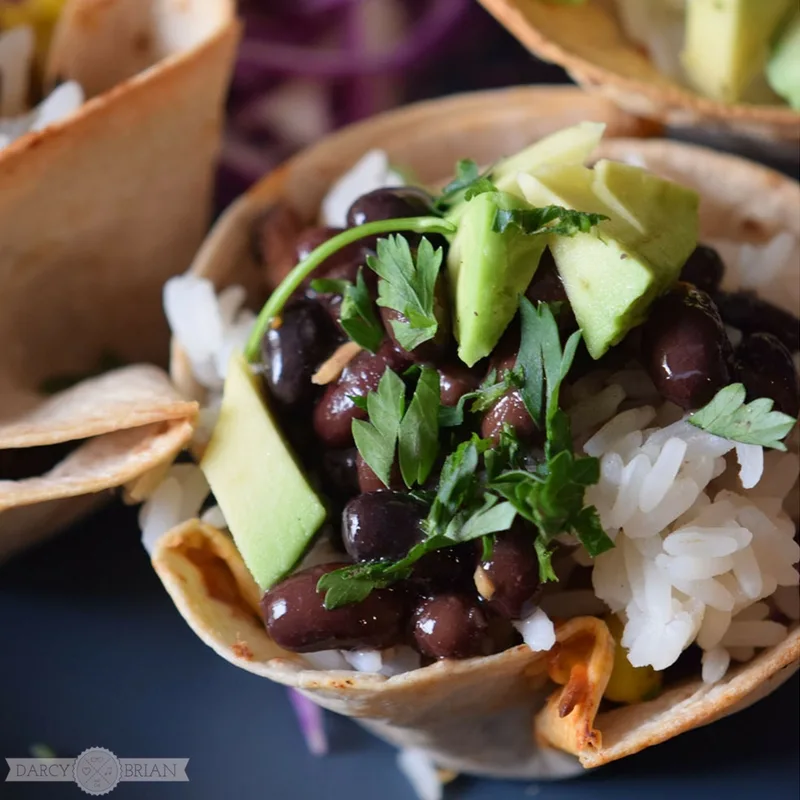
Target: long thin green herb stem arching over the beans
column 292, row 281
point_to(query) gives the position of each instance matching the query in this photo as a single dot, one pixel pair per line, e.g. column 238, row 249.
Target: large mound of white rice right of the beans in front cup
column 688, row 555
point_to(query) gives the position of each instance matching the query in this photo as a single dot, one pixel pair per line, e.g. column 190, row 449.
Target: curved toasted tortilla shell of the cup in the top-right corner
column 588, row 41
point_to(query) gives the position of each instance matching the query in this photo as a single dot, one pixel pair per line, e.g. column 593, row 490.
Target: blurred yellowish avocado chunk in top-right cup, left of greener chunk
column 727, row 43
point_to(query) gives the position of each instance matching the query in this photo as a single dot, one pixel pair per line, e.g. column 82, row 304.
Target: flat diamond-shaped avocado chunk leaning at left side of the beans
column 271, row 510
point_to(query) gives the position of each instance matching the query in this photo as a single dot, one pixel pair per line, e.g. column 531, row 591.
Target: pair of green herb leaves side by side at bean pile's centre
column 411, row 432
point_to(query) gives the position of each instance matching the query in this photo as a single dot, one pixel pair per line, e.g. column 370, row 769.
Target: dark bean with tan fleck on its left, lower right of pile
column 510, row 578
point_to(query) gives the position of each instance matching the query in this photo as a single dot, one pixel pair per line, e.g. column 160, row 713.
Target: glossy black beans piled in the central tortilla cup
column 456, row 604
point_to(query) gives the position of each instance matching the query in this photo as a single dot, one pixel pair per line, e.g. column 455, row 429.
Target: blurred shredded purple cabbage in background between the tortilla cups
column 309, row 66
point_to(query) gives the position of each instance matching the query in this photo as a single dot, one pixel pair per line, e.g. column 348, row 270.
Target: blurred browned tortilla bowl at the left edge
column 98, row 210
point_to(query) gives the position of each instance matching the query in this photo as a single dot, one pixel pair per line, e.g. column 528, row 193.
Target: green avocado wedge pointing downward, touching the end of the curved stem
column 488, row 272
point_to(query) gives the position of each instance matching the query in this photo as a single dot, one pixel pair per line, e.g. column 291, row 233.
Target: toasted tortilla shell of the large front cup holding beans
column 487, row 716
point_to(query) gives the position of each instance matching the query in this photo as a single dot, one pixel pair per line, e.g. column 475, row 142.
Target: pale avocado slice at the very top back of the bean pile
column 568, row 146
